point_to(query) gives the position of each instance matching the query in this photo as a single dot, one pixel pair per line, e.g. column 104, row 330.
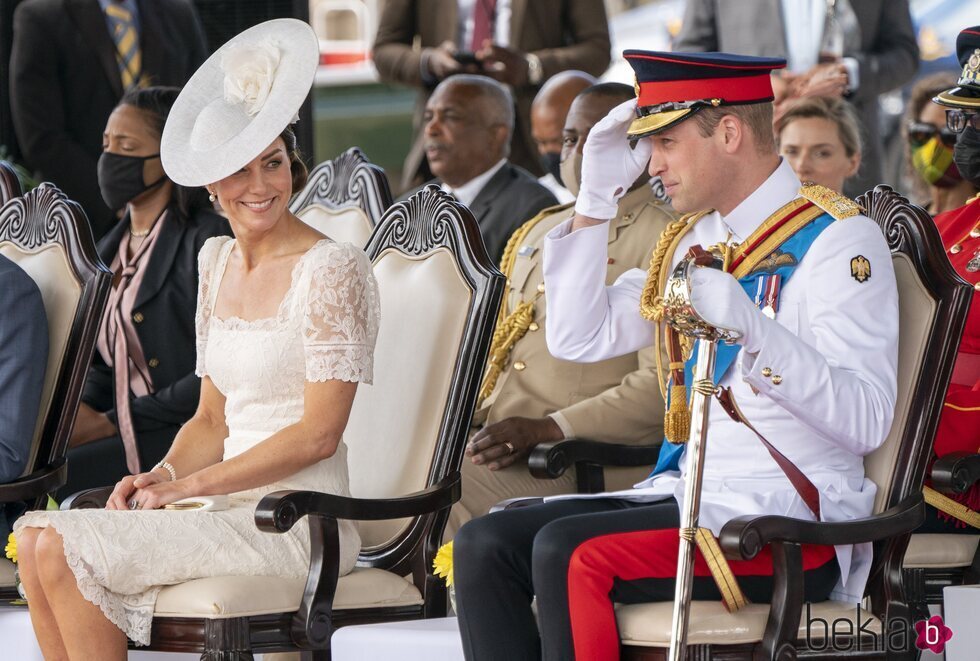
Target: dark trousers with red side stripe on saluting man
column 505, row 559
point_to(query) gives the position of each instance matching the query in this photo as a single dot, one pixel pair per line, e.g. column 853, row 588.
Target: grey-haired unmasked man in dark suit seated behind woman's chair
column 468, row 124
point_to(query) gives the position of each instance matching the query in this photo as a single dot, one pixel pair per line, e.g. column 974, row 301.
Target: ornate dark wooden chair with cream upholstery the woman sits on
column 405, row 437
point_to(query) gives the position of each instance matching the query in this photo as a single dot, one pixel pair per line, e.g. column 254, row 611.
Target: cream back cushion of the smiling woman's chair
column 424, row 303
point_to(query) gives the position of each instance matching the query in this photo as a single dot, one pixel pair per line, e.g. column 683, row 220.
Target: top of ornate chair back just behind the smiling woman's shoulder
column 344, row 198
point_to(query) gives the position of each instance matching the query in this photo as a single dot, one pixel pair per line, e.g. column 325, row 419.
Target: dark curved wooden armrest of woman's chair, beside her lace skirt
column 280, row 510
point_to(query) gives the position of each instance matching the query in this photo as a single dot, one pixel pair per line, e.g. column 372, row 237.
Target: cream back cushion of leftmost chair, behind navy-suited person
column 48, row 266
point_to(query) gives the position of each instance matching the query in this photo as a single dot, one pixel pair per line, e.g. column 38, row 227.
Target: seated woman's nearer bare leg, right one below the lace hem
column 86, row 632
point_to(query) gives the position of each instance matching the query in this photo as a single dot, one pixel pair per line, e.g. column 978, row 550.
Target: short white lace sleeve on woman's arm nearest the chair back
column 340, row 320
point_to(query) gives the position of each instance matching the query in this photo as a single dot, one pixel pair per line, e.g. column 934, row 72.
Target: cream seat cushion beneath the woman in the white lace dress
column 241, row 596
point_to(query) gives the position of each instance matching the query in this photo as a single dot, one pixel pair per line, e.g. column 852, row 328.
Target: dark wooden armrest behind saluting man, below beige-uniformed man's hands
column 549, row 461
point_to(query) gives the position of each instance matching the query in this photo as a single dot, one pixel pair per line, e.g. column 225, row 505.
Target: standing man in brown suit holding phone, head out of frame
column 517, row 42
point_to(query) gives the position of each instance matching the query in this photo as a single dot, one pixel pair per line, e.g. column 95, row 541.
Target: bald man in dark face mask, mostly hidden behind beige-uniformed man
column 548, row 112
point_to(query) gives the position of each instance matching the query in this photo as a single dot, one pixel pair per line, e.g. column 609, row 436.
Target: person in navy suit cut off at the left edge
column 23, row 357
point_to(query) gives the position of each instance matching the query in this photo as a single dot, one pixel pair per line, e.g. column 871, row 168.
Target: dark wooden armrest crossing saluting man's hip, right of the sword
column 744, row 537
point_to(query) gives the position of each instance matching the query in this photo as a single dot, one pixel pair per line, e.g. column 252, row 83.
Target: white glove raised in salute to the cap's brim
column 609, row 165
